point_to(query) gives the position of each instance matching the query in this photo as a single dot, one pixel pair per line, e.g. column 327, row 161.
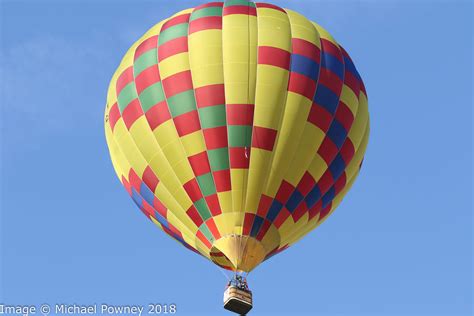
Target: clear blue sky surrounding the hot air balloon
column 399, row 244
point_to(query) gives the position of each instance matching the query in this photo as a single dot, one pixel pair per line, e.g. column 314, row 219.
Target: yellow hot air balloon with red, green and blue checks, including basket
column 237, row 128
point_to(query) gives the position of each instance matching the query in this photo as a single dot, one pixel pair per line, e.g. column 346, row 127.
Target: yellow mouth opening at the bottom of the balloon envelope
column 238, row 253
